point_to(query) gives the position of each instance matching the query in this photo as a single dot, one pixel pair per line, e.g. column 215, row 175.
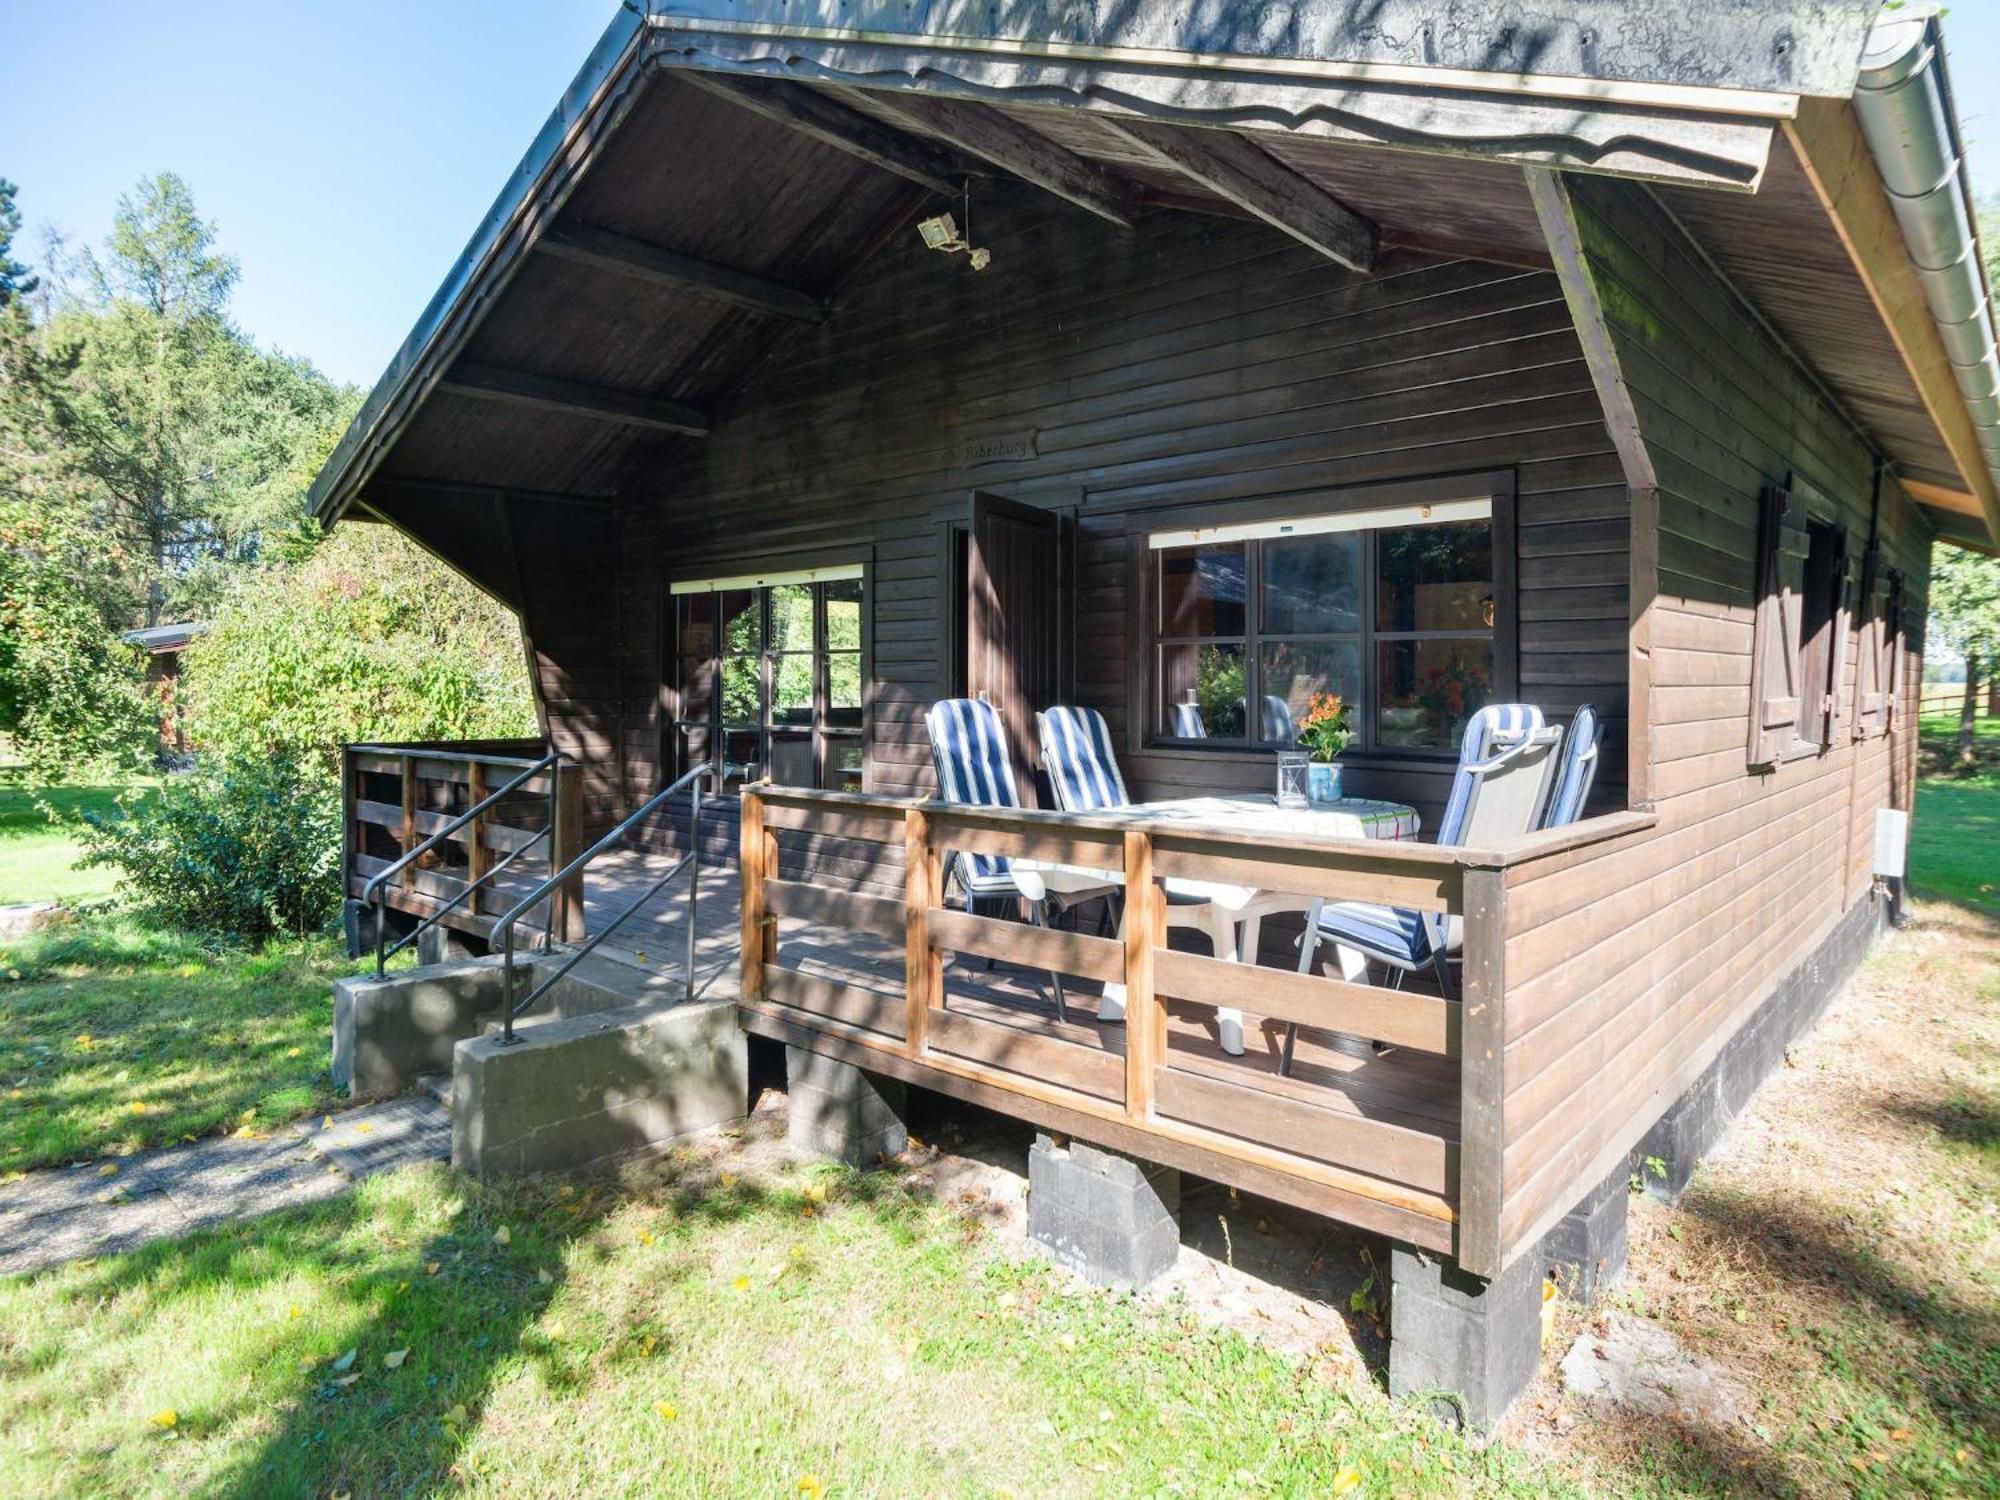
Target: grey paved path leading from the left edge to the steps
column 83, row 1211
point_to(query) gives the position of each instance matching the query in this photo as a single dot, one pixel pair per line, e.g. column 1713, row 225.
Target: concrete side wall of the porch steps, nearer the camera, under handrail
column 571, row 1093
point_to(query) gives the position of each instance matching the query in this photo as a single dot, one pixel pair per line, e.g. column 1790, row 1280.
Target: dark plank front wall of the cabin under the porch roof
column 1187, row 361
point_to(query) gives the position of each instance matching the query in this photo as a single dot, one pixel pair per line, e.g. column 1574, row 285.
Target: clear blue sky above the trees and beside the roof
column 347, row 151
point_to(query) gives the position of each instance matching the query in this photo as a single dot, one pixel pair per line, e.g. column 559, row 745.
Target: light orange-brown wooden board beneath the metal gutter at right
column 1843, row 173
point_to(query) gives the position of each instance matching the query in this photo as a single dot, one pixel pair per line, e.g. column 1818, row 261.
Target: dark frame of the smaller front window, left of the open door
column 821, row 733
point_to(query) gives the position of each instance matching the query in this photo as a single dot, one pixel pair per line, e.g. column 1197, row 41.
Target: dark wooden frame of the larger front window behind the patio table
column 1145, row 731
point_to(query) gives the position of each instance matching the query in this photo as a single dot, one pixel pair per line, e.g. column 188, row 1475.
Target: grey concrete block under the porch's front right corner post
column 1477, row 1341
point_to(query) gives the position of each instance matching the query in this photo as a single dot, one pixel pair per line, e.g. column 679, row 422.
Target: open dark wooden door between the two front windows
column 1013, row 623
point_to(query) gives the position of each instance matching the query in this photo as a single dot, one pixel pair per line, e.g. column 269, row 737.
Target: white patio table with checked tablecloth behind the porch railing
column 1233, row 917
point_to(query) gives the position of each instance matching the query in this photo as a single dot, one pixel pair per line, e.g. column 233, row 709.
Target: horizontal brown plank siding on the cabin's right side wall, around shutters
column 1627, row 971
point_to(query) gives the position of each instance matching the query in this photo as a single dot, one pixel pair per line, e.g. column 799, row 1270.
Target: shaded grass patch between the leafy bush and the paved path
column 119, row 1037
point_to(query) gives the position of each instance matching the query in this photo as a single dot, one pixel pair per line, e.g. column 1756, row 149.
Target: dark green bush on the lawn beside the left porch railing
column 245, row 847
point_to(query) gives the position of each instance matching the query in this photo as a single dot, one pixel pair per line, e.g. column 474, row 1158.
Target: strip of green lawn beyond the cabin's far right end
column 1955, row 845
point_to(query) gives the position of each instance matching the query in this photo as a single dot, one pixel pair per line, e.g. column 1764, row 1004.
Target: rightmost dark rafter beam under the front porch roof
column 1249, row 177
